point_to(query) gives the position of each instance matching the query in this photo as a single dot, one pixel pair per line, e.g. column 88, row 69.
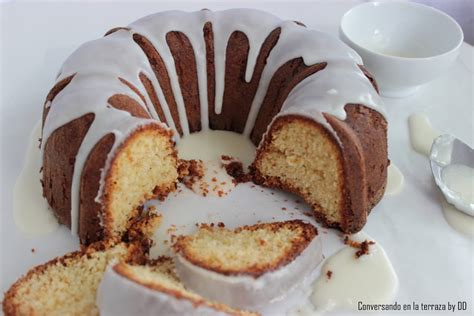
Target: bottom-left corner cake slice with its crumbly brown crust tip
column 67, row 285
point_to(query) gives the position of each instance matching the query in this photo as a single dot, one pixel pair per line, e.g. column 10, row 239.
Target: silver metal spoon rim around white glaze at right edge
column 447, row 150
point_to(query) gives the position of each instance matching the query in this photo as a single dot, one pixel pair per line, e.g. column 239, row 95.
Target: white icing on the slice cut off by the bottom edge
column 118, row 295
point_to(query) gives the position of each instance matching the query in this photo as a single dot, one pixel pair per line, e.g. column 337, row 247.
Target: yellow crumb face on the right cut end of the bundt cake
column 300, row 156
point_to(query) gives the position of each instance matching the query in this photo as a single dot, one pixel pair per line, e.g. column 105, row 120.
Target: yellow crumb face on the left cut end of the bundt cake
column 145, row 167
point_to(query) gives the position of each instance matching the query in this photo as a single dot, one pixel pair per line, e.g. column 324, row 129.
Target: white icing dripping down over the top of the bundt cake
column 98, row 64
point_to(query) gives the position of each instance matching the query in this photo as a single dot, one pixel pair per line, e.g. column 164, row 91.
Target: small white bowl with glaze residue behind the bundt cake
column 403, row 44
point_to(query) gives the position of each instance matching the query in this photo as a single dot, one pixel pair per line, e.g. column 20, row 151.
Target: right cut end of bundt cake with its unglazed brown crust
column 330, row 172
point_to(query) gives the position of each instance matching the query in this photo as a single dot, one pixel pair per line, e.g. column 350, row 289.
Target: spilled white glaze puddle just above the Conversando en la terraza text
column 370, row 279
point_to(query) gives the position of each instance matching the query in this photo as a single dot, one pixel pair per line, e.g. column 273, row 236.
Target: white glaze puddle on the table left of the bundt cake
column 30, row 209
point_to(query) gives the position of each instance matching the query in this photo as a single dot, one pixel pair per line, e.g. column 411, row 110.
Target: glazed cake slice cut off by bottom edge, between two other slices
column 153, row 289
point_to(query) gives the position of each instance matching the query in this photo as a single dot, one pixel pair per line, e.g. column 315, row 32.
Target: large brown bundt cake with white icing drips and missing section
column 302, row 96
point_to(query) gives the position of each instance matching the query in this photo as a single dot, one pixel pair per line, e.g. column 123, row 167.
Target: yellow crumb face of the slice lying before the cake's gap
column 248, row 250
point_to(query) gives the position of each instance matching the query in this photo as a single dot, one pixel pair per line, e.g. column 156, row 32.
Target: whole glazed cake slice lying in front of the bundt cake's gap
column 250, row 266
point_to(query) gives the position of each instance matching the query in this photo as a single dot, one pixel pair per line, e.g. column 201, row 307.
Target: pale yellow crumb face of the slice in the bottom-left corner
column 65, row 286
